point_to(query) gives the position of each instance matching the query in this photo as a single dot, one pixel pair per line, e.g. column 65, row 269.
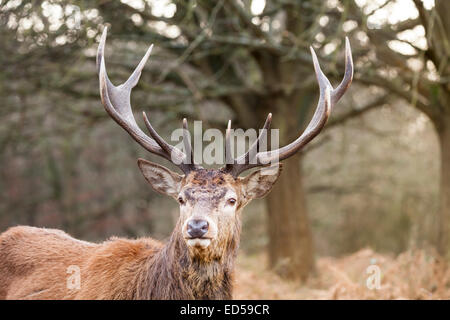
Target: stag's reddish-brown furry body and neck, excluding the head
column 36, row 262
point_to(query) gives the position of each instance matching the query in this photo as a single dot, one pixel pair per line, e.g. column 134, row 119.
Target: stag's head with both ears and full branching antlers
column 211, row 200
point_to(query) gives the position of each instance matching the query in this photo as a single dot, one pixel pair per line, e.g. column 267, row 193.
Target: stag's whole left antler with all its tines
column 116, row 101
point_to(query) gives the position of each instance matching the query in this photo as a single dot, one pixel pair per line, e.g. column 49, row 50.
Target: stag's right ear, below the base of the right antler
column 259, row 183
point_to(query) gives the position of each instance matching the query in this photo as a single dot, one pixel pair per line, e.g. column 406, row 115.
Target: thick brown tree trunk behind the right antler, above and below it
column 290, row 246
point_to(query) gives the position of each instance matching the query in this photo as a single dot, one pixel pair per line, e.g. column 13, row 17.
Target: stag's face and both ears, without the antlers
column 210, row 202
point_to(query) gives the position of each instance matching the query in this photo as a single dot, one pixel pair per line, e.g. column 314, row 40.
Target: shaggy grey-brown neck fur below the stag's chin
column 171, row 273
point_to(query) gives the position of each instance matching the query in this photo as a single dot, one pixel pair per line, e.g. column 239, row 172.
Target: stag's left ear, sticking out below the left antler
column 161, row 179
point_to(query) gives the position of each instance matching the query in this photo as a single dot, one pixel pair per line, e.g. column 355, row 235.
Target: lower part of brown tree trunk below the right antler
column 290, row 246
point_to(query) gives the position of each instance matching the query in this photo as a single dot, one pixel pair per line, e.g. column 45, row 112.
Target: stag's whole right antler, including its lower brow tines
column 327, row 100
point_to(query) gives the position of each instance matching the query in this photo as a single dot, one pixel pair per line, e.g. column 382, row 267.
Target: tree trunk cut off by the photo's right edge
column 443, row 221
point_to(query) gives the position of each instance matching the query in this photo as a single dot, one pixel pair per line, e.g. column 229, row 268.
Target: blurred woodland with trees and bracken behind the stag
column 373, row 188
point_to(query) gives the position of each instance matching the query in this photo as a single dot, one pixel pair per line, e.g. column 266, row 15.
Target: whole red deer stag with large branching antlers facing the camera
column 197, row 261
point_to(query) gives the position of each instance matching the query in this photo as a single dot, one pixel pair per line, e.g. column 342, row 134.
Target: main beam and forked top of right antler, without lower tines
column 328, row 98
